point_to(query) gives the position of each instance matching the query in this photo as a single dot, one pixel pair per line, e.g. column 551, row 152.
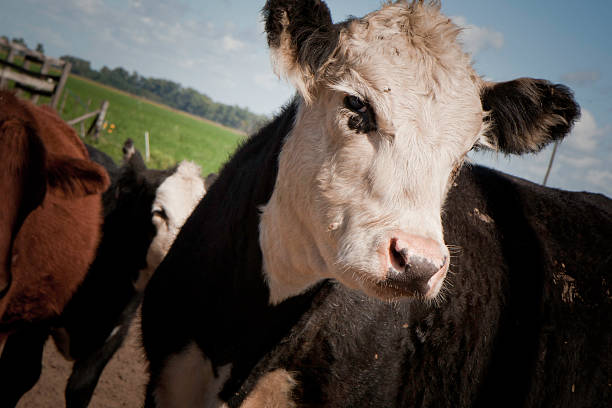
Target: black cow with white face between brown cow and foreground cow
column 143, row 211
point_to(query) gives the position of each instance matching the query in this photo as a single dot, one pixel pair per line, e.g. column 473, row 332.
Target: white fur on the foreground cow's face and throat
column 339, row 194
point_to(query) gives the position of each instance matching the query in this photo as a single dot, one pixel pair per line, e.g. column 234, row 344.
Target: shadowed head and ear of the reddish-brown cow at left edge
column 28, row 172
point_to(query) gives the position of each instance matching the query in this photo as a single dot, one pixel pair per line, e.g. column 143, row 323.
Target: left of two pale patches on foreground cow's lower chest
column 188, row 380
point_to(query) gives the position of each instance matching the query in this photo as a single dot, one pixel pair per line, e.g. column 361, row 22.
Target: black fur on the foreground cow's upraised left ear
column 313, row 35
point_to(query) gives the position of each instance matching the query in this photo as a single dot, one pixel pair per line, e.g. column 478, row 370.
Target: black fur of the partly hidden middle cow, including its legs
column 107, row 297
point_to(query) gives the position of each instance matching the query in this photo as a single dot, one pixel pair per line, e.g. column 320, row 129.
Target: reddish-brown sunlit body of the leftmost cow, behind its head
column 58, row 240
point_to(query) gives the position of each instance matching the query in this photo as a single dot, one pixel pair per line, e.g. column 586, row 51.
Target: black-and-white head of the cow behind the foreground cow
column 148, row 207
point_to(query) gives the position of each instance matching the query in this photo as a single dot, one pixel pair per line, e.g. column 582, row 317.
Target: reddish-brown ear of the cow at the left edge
column 74, row 177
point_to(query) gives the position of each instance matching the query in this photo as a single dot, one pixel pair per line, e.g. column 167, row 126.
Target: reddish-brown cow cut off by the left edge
column 50, row 213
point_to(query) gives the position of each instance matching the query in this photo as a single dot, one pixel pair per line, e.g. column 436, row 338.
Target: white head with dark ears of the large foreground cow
column 389, row 105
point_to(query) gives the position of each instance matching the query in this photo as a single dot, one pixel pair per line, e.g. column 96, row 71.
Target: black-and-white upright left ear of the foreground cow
column 301, row 37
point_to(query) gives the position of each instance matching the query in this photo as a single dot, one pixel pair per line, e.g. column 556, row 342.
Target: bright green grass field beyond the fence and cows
column 173, row 135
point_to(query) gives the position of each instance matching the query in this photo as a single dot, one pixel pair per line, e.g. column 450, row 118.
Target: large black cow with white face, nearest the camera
column 346, row 256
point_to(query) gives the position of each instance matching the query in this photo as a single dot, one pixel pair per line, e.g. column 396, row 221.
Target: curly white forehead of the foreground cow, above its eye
column 412, row 47
